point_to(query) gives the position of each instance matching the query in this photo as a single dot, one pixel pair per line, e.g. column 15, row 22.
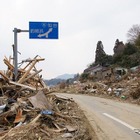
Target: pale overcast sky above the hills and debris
column 82, row 23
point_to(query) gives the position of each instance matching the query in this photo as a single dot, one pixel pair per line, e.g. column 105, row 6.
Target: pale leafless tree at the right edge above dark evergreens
column 133, row 33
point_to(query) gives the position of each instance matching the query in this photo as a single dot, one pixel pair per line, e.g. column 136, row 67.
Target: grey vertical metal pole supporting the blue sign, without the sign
column 15, row 54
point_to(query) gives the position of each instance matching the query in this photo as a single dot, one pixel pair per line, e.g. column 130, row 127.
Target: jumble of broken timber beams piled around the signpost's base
column 28, row 76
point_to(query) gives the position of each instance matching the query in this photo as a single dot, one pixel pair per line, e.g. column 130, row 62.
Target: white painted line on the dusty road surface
column 118, row 120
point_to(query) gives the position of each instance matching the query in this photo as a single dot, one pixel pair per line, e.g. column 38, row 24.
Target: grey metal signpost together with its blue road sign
column 37, row 30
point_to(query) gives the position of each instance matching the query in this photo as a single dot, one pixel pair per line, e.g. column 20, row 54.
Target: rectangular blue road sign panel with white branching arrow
column 43, row 30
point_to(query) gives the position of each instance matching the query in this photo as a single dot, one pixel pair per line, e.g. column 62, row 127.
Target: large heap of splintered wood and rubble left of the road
column 28, row 111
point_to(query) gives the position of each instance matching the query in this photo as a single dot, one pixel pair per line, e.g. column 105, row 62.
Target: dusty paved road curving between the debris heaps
column 111, row 120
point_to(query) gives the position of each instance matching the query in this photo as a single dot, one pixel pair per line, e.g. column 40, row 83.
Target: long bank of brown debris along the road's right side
column 126, row 88
